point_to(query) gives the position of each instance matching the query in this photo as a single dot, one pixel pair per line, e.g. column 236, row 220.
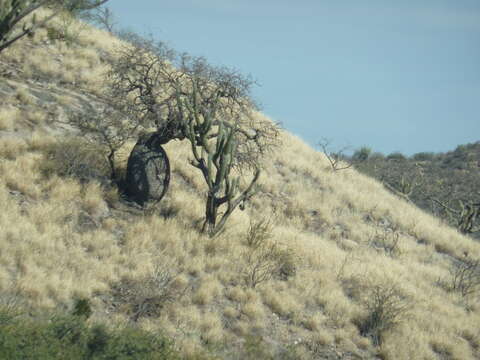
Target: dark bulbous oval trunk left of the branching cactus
column 148, row 169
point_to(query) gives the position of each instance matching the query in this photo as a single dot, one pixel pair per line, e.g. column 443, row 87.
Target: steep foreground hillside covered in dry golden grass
column 320, row 264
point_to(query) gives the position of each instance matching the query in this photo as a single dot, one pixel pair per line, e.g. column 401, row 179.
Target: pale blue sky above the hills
column 393, row 75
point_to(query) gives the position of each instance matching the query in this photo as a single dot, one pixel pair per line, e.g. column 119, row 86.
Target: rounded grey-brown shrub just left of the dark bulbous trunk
column 75, row 158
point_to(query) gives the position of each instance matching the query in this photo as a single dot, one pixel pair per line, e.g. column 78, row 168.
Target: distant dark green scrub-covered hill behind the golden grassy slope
column 444, row 184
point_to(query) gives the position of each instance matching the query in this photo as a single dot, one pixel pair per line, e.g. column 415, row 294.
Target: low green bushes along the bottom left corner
column 70, row 337
